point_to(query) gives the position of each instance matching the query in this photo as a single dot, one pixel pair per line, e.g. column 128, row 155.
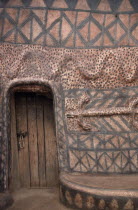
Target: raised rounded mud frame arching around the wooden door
column 56, row 90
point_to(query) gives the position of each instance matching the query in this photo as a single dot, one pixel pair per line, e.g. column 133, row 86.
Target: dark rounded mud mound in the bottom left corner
column 6, row 200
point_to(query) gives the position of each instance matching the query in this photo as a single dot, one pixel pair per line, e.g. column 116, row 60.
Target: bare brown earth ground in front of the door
column 37, row 199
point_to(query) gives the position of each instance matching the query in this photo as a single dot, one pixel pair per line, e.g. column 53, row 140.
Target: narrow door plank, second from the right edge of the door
column 41, row 142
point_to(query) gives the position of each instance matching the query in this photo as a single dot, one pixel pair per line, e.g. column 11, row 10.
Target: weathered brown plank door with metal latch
column 35, row 164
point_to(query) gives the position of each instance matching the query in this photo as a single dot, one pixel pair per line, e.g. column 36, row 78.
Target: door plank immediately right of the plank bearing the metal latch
column 33, row 147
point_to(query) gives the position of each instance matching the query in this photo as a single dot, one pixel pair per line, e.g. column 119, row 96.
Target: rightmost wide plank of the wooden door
column 50, row 144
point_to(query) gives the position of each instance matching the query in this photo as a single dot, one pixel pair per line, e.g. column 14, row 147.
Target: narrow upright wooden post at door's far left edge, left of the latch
column 14, row 182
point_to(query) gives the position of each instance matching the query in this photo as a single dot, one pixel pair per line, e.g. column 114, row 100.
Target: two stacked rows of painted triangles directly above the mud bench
column 104, row 153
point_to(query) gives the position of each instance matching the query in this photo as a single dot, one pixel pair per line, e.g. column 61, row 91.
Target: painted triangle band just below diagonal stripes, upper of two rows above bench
column 103, row 142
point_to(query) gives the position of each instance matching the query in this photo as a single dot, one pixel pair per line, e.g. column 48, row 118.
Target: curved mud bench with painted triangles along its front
column 84, row 191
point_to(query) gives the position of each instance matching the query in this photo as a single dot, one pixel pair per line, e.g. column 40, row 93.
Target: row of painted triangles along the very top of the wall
column 75, row 4
